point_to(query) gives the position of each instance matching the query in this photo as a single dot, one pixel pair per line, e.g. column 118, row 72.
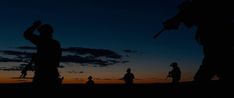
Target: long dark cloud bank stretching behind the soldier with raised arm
column 84, row 56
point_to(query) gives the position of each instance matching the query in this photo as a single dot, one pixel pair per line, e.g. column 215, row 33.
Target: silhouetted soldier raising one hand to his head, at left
column 47, row 57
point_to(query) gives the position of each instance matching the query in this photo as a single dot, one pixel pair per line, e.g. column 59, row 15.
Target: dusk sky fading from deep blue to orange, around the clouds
column 105, row 24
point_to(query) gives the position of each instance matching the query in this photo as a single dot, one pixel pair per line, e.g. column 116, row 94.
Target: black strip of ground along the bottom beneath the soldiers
column 212, row 89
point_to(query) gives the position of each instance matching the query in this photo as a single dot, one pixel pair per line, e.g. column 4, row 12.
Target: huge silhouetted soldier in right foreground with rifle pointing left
column 214, row 22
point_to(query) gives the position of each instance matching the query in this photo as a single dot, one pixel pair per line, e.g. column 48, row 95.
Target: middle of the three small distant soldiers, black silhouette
column 128, row 78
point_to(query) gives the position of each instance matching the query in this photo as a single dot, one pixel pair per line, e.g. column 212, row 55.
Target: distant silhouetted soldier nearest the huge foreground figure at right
column 175, row 73
